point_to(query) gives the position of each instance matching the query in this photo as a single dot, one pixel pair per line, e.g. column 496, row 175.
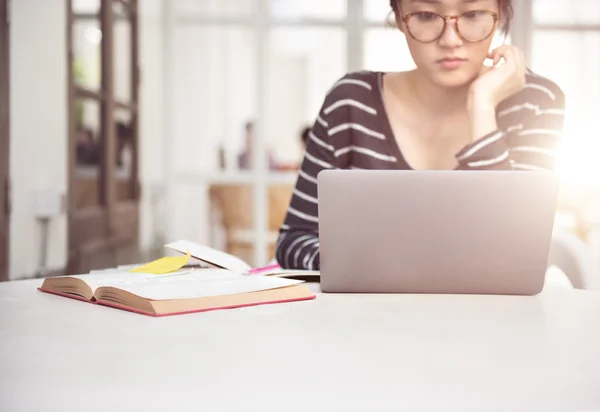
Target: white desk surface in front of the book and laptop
column 335, row 353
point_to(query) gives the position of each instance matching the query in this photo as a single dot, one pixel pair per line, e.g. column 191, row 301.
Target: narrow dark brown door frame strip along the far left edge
column 4, row 138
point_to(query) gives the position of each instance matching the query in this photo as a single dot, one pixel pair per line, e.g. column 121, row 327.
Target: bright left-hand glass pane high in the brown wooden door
column 87, row 54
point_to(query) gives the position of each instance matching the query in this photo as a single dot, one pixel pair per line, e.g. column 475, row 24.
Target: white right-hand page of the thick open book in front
column 200, row 283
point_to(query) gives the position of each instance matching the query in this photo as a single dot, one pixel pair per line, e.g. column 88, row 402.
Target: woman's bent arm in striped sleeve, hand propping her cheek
column 531, row 117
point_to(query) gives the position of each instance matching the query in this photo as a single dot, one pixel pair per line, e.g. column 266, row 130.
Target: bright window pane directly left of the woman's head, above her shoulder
column 303, row 65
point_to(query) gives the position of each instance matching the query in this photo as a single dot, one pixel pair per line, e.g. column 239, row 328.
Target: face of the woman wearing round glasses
column 443, row 55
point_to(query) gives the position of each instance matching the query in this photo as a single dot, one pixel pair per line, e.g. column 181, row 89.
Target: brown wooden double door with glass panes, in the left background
column 103, row 127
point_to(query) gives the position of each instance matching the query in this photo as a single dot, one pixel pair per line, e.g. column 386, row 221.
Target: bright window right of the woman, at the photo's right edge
column 562, row 42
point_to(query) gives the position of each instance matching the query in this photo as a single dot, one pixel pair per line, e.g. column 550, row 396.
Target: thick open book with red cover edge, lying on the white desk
column 183, row 291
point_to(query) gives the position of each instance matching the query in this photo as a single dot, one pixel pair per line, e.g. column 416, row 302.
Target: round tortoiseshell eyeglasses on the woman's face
column 473, row 26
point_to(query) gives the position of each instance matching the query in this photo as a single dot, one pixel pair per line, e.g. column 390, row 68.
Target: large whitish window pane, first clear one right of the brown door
column 214, row 91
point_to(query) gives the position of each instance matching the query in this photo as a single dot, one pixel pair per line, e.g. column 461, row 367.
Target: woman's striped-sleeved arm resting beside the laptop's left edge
column 298, row 243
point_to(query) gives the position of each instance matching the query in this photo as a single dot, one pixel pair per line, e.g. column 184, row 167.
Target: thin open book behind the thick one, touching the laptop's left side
column 230, row 262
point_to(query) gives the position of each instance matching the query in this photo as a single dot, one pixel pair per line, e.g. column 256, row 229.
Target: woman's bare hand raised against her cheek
column 498, row 83
